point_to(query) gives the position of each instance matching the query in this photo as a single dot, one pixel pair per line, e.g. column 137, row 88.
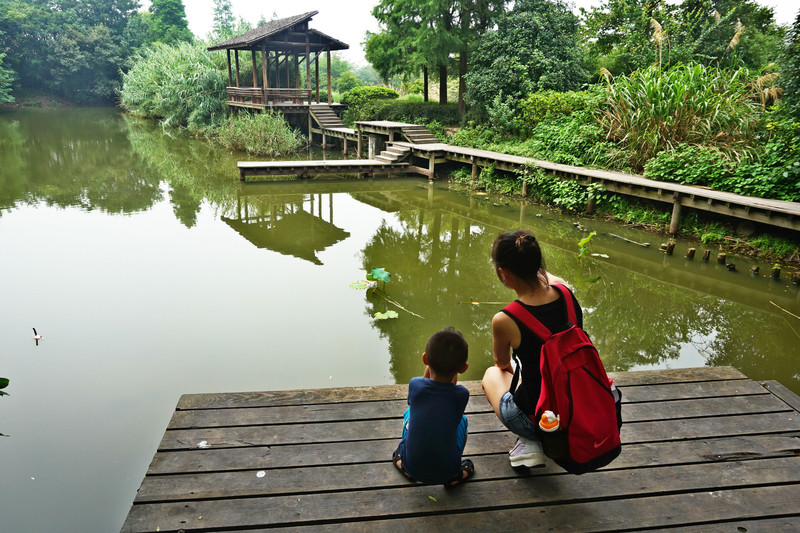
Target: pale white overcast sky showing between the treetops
column 349, row 20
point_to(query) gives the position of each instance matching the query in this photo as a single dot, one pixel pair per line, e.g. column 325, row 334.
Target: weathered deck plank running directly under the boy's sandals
column 362, row 476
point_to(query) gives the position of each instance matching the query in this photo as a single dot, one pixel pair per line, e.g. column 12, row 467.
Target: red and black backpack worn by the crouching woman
column 576, row 389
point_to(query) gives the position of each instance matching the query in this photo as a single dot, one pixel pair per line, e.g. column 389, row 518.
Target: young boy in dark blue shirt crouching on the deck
column 434, row 425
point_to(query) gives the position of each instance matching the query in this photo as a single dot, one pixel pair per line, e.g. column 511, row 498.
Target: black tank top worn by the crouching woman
column 554, row 316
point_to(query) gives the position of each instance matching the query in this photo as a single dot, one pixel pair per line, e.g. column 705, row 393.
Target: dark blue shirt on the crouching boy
column 430, row 451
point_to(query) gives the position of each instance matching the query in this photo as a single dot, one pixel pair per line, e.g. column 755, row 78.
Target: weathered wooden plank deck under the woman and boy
column 703, row 450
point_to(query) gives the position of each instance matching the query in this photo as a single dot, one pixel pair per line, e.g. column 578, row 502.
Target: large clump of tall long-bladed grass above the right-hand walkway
column 653, row 110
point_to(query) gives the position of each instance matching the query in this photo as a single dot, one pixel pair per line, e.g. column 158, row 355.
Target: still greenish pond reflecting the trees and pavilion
column 152, row 272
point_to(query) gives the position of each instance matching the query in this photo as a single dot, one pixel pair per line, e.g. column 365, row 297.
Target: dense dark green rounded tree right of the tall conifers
column 535, row 47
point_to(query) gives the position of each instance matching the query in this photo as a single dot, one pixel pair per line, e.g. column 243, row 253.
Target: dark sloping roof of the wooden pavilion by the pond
column 283, row 34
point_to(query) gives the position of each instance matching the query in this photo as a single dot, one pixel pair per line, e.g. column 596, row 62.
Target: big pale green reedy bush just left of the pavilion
column 181, row 85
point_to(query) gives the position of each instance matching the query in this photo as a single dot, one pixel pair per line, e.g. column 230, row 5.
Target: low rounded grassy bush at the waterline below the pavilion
column 265, row 133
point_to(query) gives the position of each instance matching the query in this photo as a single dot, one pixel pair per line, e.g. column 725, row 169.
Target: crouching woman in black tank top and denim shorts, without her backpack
column 519, row 265
